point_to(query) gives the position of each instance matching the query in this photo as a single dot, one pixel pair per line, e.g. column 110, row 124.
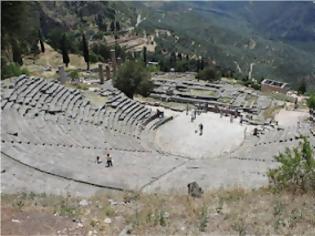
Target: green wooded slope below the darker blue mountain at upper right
column 229, row 38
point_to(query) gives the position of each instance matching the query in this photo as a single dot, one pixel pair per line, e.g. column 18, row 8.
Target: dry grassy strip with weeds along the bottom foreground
column 234, row 211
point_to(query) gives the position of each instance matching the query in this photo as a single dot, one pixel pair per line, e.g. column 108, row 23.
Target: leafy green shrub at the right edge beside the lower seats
column 297, row 170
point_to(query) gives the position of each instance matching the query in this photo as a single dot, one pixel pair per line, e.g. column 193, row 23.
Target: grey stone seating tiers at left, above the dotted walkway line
column 39, row 111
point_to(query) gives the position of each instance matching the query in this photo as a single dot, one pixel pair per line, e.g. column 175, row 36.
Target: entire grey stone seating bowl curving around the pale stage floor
column 51, row 135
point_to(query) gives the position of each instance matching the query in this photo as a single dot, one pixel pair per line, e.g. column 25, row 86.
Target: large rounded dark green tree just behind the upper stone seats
column 133, row 78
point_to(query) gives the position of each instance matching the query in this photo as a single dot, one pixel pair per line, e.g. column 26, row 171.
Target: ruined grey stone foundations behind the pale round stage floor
column 219, row 97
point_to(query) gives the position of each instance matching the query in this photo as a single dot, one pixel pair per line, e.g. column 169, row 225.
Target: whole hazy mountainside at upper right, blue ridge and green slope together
column 242, row 33
